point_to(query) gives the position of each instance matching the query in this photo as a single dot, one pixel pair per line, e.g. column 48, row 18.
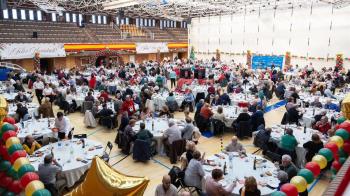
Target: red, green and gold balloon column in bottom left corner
column 16, row 173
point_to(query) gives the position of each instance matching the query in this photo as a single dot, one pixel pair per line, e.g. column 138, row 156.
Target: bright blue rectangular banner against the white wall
column 262, row 62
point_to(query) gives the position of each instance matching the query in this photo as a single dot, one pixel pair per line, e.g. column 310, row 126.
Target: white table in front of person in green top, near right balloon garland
column 301, row 137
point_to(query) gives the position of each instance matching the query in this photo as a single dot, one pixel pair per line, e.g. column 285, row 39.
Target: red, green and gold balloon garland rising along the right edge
column 334, row 153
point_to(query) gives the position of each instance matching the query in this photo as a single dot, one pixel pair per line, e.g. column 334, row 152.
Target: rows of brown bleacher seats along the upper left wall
column 19, row 31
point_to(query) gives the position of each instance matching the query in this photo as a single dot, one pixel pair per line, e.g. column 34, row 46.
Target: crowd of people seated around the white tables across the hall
column 138, row 83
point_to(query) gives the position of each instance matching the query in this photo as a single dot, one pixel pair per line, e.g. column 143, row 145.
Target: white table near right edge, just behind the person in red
column 309, row 114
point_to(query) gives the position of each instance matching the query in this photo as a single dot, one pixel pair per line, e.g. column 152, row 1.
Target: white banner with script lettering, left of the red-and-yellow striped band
column 27, row 51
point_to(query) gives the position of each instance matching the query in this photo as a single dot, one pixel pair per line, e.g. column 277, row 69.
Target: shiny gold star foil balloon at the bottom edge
column 103, row 180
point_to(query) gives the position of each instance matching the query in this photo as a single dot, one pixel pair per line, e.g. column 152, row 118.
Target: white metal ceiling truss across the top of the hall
column 176, row 9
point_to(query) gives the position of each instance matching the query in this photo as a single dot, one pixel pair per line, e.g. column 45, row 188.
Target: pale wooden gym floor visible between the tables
column 155, row 169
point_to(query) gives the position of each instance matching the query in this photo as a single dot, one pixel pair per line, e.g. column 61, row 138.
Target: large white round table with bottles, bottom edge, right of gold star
column 240, row 167
